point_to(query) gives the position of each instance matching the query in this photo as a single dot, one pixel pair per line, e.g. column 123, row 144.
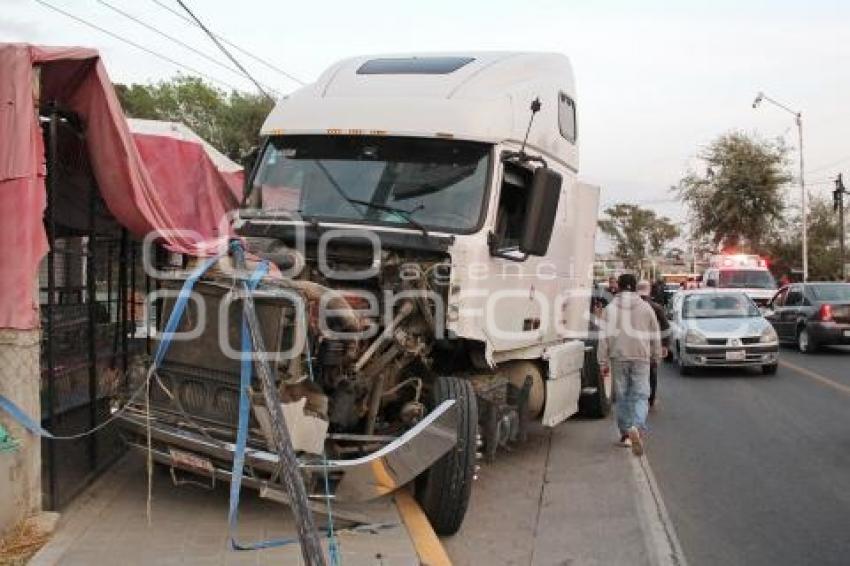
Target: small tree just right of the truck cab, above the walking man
column 638, row 233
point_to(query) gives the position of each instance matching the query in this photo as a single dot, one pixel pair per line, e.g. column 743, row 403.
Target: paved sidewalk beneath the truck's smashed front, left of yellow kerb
column 108, row 525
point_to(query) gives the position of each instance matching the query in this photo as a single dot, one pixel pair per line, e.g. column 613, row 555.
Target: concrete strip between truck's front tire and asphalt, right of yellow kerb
column 570, row 496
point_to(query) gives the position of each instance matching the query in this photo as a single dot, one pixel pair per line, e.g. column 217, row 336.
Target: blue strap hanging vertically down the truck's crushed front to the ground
column 247, row 366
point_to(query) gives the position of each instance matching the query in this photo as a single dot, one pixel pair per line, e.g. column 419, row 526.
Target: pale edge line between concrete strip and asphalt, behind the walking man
column 662, row 542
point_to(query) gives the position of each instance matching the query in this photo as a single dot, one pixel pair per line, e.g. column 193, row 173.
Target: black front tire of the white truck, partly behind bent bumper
column 443, row 491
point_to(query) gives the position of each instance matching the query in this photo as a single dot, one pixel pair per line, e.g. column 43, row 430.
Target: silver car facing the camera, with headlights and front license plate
column 720, row 328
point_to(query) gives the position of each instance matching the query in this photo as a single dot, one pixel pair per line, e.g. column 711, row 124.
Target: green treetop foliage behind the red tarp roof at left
column 230, row 122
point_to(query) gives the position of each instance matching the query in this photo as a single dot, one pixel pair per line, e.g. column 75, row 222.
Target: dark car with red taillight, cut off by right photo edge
column 811, row 314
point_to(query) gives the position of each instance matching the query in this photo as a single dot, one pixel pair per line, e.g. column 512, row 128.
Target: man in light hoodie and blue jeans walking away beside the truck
column 630, row 341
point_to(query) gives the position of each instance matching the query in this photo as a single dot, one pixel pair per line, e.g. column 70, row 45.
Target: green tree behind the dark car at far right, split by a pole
column 785, row 250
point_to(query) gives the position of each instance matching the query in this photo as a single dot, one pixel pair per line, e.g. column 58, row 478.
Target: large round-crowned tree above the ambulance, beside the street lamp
column 737, row 200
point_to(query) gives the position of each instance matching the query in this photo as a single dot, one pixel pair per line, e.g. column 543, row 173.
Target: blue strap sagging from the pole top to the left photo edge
column 183, row 296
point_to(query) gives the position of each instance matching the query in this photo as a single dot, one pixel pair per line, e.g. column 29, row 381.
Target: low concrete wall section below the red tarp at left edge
column 20, row 470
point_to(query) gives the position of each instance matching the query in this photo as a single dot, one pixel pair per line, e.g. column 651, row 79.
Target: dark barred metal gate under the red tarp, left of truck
column 89, row 308
